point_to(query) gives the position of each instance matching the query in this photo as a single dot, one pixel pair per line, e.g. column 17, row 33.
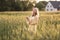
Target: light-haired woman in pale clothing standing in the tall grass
column 33, row 20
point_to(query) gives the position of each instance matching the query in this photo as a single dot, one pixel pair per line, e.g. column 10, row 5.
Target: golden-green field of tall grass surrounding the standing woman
column 13, row 26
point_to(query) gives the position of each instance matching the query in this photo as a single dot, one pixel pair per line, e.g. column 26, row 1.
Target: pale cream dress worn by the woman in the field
column 32, row 21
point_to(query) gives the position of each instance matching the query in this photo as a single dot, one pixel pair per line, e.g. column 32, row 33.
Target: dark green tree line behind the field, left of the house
column 17, row 5
